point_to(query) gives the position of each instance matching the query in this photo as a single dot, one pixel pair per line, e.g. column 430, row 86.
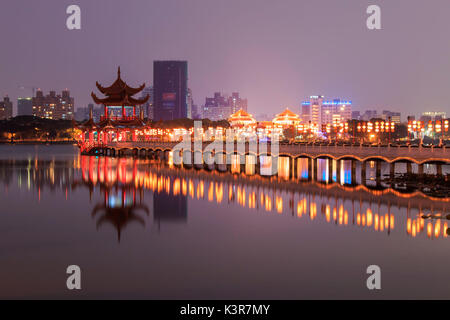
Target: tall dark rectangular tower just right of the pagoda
column 170, row 90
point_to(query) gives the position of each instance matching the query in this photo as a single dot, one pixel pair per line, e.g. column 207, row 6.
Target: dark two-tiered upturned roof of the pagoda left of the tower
column 119, row 93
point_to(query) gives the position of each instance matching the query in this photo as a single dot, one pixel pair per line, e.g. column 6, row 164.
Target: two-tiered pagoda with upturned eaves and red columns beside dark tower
column 119, row 95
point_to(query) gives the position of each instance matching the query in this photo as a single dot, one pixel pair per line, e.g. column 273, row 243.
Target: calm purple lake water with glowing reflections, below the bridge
column 146, row 229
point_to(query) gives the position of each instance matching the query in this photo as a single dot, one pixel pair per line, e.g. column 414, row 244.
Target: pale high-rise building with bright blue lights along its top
column 319, row 111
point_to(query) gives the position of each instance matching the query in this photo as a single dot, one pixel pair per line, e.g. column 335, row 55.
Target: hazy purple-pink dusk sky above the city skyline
column 275, row 53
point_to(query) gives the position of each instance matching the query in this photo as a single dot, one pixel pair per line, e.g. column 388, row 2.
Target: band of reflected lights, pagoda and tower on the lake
column 318, row 191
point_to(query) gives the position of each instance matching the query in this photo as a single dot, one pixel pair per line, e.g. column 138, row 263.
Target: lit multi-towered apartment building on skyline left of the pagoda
column 52, row 106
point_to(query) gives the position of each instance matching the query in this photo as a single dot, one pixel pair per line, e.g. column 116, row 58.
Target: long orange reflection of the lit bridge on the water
column 343, row 204
